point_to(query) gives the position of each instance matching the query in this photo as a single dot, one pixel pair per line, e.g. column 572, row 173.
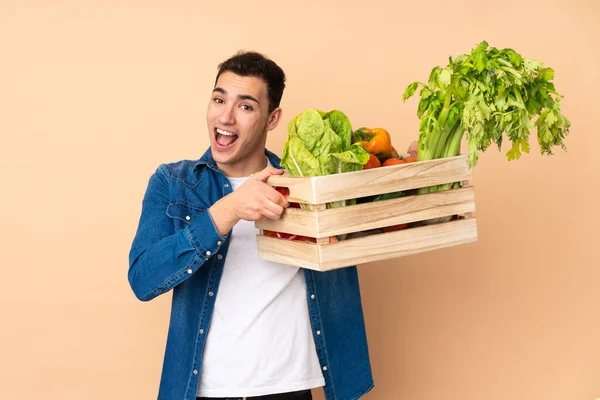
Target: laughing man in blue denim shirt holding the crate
column 241, row 327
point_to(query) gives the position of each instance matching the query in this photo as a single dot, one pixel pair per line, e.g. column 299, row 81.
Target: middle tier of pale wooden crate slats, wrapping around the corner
column 362, row 217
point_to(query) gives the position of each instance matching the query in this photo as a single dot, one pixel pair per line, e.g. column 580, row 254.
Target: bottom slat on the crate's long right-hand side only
column 398, row 244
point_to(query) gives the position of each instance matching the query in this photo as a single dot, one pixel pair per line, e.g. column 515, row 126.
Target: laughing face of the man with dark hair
column 238, row 120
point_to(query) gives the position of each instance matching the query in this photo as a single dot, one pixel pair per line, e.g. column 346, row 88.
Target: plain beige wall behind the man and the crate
column 95, row 94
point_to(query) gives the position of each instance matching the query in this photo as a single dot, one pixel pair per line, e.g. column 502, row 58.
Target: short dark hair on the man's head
column 251, row 63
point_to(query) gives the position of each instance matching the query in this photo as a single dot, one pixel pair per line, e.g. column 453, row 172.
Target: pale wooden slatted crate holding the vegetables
column 321, row 223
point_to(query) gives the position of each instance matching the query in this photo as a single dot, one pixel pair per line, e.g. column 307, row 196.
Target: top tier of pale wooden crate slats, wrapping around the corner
column 350, row 185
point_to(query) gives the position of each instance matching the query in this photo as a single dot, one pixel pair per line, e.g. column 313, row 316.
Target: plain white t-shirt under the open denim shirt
column 260, row 340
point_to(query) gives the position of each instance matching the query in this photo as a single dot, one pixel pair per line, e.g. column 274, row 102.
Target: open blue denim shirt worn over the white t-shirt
column 178, row 247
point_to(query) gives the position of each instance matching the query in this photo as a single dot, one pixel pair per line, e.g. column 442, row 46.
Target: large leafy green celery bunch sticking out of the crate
column 485, row 94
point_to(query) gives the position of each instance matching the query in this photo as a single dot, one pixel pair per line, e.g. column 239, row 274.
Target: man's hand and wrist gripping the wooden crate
column 253, row 201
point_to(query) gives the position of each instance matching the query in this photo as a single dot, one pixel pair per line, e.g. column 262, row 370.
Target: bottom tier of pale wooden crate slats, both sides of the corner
column 369, row 248
